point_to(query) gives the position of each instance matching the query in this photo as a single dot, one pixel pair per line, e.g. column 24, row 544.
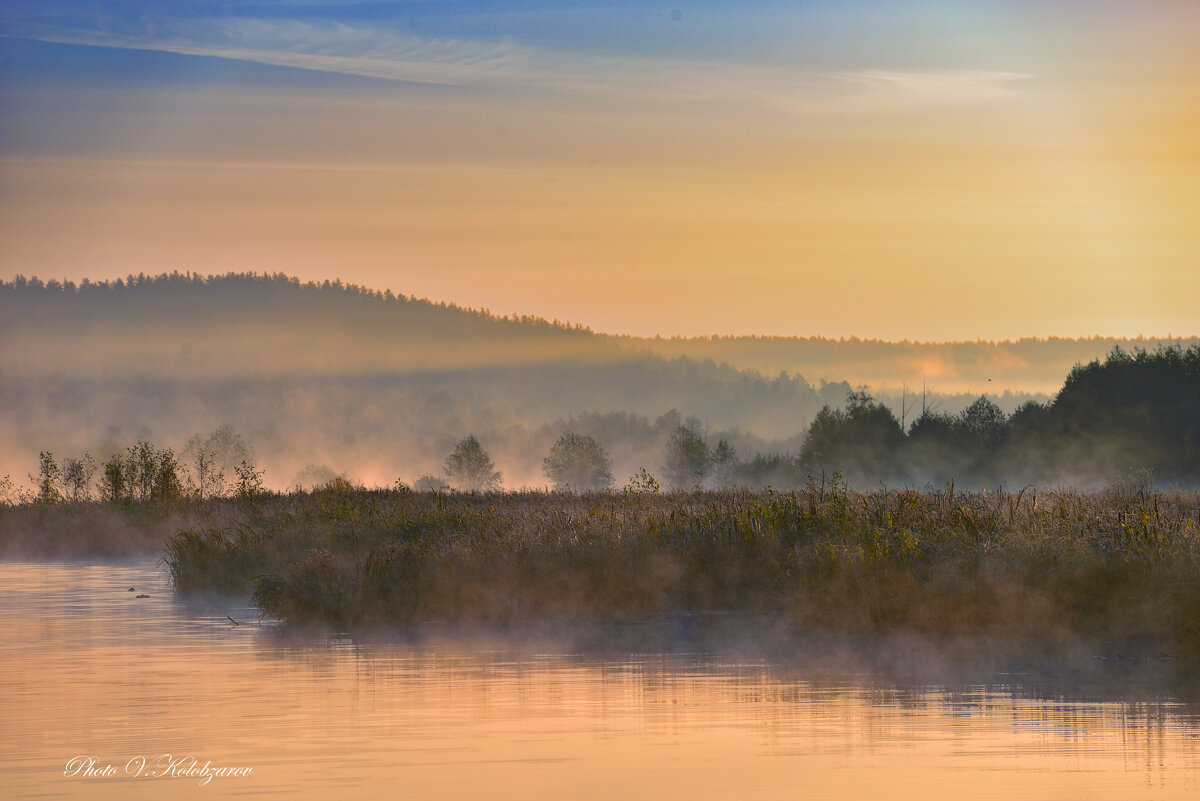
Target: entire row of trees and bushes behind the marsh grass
column 1135, row 413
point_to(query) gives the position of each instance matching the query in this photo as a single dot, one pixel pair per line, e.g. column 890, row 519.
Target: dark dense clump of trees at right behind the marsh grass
column 1136, row 412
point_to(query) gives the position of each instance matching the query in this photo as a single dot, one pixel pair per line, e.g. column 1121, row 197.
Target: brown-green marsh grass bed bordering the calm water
column 1119, row 564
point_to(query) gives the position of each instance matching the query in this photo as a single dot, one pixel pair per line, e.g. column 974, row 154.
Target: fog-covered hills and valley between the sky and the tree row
column 382, row 388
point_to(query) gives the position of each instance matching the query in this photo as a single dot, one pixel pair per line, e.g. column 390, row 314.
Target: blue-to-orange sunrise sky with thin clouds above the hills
column 898, row 171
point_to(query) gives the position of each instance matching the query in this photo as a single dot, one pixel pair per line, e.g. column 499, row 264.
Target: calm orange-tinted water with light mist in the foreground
column 88, row 670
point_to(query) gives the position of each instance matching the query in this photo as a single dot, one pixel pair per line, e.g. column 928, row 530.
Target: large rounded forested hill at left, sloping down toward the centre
column 235, row 326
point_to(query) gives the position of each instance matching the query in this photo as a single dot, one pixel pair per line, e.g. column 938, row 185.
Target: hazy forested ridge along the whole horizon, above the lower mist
column 274, row 326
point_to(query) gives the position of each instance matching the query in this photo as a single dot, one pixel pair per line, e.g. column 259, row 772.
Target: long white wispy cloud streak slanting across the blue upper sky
column 392, row 55
